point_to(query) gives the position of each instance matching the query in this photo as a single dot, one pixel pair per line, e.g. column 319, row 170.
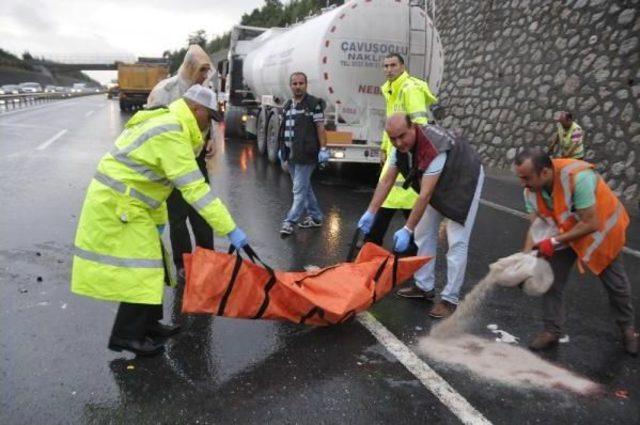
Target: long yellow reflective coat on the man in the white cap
column 117, row 253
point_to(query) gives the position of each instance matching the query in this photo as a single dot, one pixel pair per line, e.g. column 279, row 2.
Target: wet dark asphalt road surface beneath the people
column 56, row 367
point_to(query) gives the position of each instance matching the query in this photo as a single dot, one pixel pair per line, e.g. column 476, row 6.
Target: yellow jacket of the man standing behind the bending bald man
column 412, row 96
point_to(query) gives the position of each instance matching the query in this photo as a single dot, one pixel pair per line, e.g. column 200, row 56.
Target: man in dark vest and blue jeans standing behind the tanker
column 303, row 141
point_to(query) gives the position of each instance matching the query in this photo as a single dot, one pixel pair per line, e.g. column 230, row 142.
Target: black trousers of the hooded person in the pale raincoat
column 179, row 212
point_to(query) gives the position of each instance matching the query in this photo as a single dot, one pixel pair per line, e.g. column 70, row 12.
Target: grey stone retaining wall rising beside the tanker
column 511, row 64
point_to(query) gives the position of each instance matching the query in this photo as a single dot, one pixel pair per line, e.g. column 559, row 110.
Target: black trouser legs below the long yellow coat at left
column 133, row 320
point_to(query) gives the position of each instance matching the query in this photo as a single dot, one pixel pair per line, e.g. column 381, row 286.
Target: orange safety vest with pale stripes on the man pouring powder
column 598, row 249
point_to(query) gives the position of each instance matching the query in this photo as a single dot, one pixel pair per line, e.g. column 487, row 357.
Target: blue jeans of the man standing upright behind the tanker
column 304, row 200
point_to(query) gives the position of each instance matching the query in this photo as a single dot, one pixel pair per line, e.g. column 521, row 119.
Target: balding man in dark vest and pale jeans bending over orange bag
column 447, row 174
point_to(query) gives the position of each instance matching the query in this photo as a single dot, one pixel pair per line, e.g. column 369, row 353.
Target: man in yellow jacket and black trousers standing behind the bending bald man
column 402, row 93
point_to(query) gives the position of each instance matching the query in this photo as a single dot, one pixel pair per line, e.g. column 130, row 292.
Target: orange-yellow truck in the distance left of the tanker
column 137, row 80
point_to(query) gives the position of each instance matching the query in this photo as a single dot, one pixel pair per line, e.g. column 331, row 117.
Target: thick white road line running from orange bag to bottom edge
column 455, row 402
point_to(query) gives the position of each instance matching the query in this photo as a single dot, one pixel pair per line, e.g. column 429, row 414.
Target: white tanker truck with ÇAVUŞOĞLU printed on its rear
column 341, row 51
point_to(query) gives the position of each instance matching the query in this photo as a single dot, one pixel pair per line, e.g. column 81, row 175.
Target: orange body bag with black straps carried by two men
column 225, row 284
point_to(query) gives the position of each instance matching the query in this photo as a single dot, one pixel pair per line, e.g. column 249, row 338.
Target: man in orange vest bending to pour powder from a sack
column 592, row 225
